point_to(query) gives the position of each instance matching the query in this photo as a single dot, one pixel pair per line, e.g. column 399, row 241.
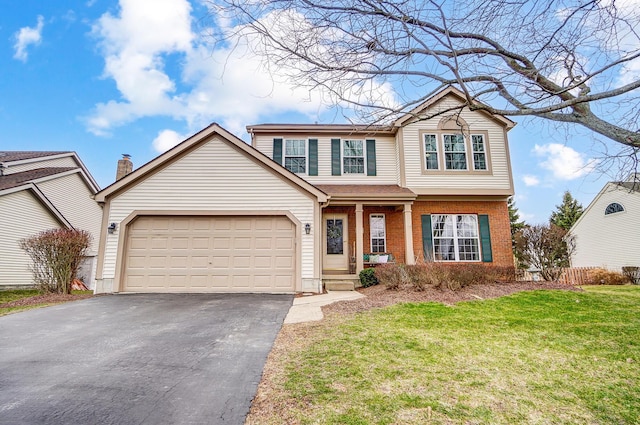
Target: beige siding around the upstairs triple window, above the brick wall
column 498, row 160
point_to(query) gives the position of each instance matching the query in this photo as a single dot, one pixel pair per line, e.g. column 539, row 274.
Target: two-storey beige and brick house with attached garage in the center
column 307, row 204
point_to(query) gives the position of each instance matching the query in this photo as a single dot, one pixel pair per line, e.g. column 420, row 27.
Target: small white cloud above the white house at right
column 564, row 162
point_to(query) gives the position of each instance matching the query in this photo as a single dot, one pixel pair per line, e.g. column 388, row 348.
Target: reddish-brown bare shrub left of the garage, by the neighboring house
column 56, row 255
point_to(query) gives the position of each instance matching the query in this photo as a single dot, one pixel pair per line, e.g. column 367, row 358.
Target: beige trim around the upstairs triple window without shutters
column 471, row 170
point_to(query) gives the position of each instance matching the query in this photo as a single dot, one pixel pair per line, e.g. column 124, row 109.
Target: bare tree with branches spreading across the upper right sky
column 568, row 61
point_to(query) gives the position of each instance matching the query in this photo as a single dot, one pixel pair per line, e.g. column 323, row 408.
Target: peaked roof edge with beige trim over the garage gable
column 202, row 137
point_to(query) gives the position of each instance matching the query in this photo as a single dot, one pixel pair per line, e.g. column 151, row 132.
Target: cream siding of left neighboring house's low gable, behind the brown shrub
column 22, row 216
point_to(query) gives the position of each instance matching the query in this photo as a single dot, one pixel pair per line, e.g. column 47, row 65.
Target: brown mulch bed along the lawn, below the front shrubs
column 379, row 296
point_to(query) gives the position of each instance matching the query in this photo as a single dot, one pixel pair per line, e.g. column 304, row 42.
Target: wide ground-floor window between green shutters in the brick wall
column 455, row 237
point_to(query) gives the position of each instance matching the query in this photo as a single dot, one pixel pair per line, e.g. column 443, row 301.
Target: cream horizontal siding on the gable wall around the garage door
column 213, row 177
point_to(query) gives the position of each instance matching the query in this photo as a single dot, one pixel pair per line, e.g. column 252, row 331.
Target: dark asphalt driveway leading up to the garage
column 137, row 359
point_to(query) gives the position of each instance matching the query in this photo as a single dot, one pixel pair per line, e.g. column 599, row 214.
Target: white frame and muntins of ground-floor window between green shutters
column 459, row 237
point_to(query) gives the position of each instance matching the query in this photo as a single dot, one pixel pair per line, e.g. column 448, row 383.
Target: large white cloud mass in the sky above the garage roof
column 229, row 84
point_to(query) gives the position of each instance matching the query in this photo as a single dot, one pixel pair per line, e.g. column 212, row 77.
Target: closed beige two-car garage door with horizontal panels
column 210, row 254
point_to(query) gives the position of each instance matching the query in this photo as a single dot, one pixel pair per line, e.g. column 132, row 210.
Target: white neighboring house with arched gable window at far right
column 607, row 233
